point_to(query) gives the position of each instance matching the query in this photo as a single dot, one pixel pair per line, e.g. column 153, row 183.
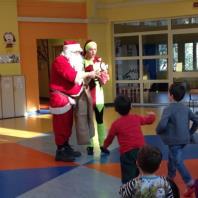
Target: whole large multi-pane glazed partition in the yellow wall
column 143, row 57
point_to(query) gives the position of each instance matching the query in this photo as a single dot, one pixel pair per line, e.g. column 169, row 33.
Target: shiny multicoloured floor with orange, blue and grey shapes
column 28, row 168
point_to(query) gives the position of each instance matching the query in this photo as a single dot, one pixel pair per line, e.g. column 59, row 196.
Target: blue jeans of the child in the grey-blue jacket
column 175, row 162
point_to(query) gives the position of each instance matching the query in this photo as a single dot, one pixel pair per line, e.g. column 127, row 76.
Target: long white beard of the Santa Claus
column 76, row 60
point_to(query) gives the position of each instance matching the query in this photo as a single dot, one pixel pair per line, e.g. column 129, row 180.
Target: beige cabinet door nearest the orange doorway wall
column 19, row 95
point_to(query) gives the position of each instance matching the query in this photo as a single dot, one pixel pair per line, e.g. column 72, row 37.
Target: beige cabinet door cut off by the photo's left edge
column 7, row 96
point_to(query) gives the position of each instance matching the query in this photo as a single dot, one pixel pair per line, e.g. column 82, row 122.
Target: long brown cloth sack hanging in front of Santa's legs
column 83, row 116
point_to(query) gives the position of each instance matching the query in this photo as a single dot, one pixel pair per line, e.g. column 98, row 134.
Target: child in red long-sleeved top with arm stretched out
column 127, row 128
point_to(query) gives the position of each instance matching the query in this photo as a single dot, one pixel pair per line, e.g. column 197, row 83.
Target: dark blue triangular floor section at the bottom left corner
column 16, row 182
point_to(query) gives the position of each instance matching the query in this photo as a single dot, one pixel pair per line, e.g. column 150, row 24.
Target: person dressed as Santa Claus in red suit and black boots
column 66, row 84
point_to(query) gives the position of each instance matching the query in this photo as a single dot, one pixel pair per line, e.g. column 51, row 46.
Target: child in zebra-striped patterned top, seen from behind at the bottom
column 147, row 185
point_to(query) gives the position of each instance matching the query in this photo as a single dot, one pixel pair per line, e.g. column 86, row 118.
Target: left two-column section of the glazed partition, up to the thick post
column 141, row 59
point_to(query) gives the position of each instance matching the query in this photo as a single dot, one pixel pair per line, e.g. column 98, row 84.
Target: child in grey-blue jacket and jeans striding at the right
column 174, row 131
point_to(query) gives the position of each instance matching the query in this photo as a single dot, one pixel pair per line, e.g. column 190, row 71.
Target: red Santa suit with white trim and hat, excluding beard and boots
column 63, row 91
